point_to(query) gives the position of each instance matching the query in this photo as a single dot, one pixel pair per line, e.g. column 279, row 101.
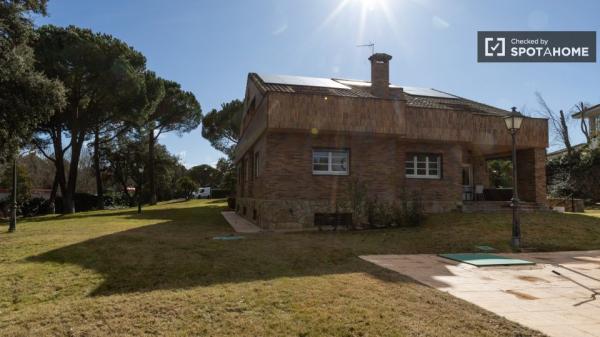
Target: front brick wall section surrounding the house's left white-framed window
column 373, row 159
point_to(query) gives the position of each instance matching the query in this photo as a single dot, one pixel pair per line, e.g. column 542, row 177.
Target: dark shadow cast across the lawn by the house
column 176, row 249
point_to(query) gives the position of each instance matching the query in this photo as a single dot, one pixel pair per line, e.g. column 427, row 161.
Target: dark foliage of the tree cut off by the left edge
column 27, row 97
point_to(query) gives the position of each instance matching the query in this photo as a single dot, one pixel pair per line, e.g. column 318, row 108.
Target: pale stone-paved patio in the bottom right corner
column 530, row 295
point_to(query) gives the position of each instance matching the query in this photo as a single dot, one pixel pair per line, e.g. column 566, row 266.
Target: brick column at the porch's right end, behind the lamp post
column 531, row 175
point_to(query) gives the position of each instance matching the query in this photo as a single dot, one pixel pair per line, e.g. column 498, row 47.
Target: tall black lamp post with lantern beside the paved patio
column 513, row 124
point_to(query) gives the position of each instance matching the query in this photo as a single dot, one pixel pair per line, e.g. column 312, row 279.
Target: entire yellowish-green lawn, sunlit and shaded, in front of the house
column 160, row 273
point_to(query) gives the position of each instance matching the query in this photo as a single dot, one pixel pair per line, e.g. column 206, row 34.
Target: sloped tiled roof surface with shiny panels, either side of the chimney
column 415, row 97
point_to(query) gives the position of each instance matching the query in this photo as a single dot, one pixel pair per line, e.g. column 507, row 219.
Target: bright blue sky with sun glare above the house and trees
column 211, row 46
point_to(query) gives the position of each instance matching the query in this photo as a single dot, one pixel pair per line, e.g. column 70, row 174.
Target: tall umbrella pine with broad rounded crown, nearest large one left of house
column 104, row 77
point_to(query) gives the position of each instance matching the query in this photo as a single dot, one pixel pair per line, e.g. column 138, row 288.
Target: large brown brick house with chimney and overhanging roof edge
column 303, row 141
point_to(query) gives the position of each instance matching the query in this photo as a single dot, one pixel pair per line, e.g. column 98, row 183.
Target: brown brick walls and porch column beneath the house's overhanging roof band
column 286, row 194
